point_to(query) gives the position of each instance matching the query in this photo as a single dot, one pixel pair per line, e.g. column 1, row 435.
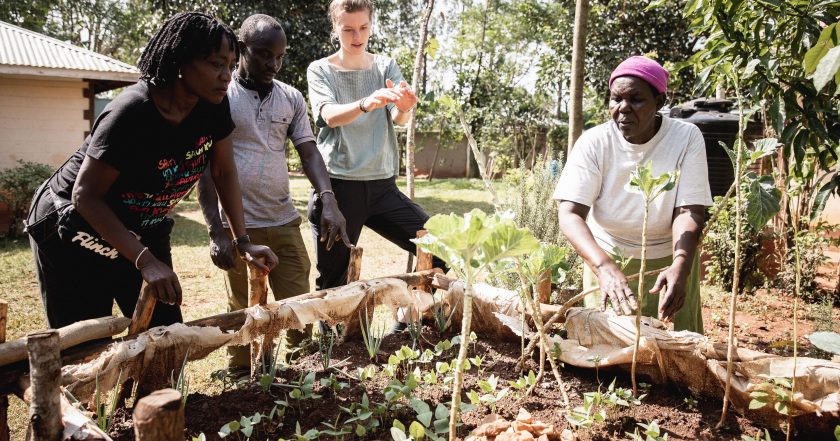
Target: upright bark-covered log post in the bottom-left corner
column 45, row 376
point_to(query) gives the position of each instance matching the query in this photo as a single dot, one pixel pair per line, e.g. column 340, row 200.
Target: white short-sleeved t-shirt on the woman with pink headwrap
column 599, row 168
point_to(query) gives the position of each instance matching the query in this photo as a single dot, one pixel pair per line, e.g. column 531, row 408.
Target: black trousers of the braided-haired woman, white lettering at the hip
column 80, row 277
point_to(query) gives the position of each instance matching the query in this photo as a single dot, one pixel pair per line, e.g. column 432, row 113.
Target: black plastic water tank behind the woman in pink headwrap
column 715, row 121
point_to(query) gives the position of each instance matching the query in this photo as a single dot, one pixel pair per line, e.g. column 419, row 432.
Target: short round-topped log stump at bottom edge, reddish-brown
column 159, row 417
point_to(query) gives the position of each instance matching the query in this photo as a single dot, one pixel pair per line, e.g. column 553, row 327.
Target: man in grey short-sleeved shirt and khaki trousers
column 267, row 112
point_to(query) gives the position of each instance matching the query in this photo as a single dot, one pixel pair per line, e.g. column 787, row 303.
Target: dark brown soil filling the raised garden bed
column 679, row 414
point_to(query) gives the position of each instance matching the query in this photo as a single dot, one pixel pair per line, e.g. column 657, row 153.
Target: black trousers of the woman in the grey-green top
column 378, row 205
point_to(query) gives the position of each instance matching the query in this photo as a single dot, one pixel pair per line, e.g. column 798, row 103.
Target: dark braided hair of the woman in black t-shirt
column 184, row 37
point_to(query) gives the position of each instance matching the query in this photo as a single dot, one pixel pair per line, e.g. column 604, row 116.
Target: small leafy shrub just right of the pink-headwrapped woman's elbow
column 719, row 245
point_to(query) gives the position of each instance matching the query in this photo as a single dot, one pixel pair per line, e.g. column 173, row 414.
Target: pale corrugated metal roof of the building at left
column 21, row 47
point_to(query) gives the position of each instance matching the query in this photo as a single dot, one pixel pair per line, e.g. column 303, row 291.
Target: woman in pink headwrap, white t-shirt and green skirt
column 602, row 219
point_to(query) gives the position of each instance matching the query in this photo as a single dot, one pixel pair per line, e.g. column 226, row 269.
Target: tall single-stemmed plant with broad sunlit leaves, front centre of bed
column 469, row 245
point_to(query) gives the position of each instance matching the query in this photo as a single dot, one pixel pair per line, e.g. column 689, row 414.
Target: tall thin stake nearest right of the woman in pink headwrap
column 736, row 276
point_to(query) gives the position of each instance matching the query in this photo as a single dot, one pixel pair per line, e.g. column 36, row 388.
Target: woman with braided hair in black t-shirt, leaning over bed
column 145, row 152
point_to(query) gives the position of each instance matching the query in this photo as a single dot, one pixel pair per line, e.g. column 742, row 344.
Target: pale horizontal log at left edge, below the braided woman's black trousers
column 69, row 336
